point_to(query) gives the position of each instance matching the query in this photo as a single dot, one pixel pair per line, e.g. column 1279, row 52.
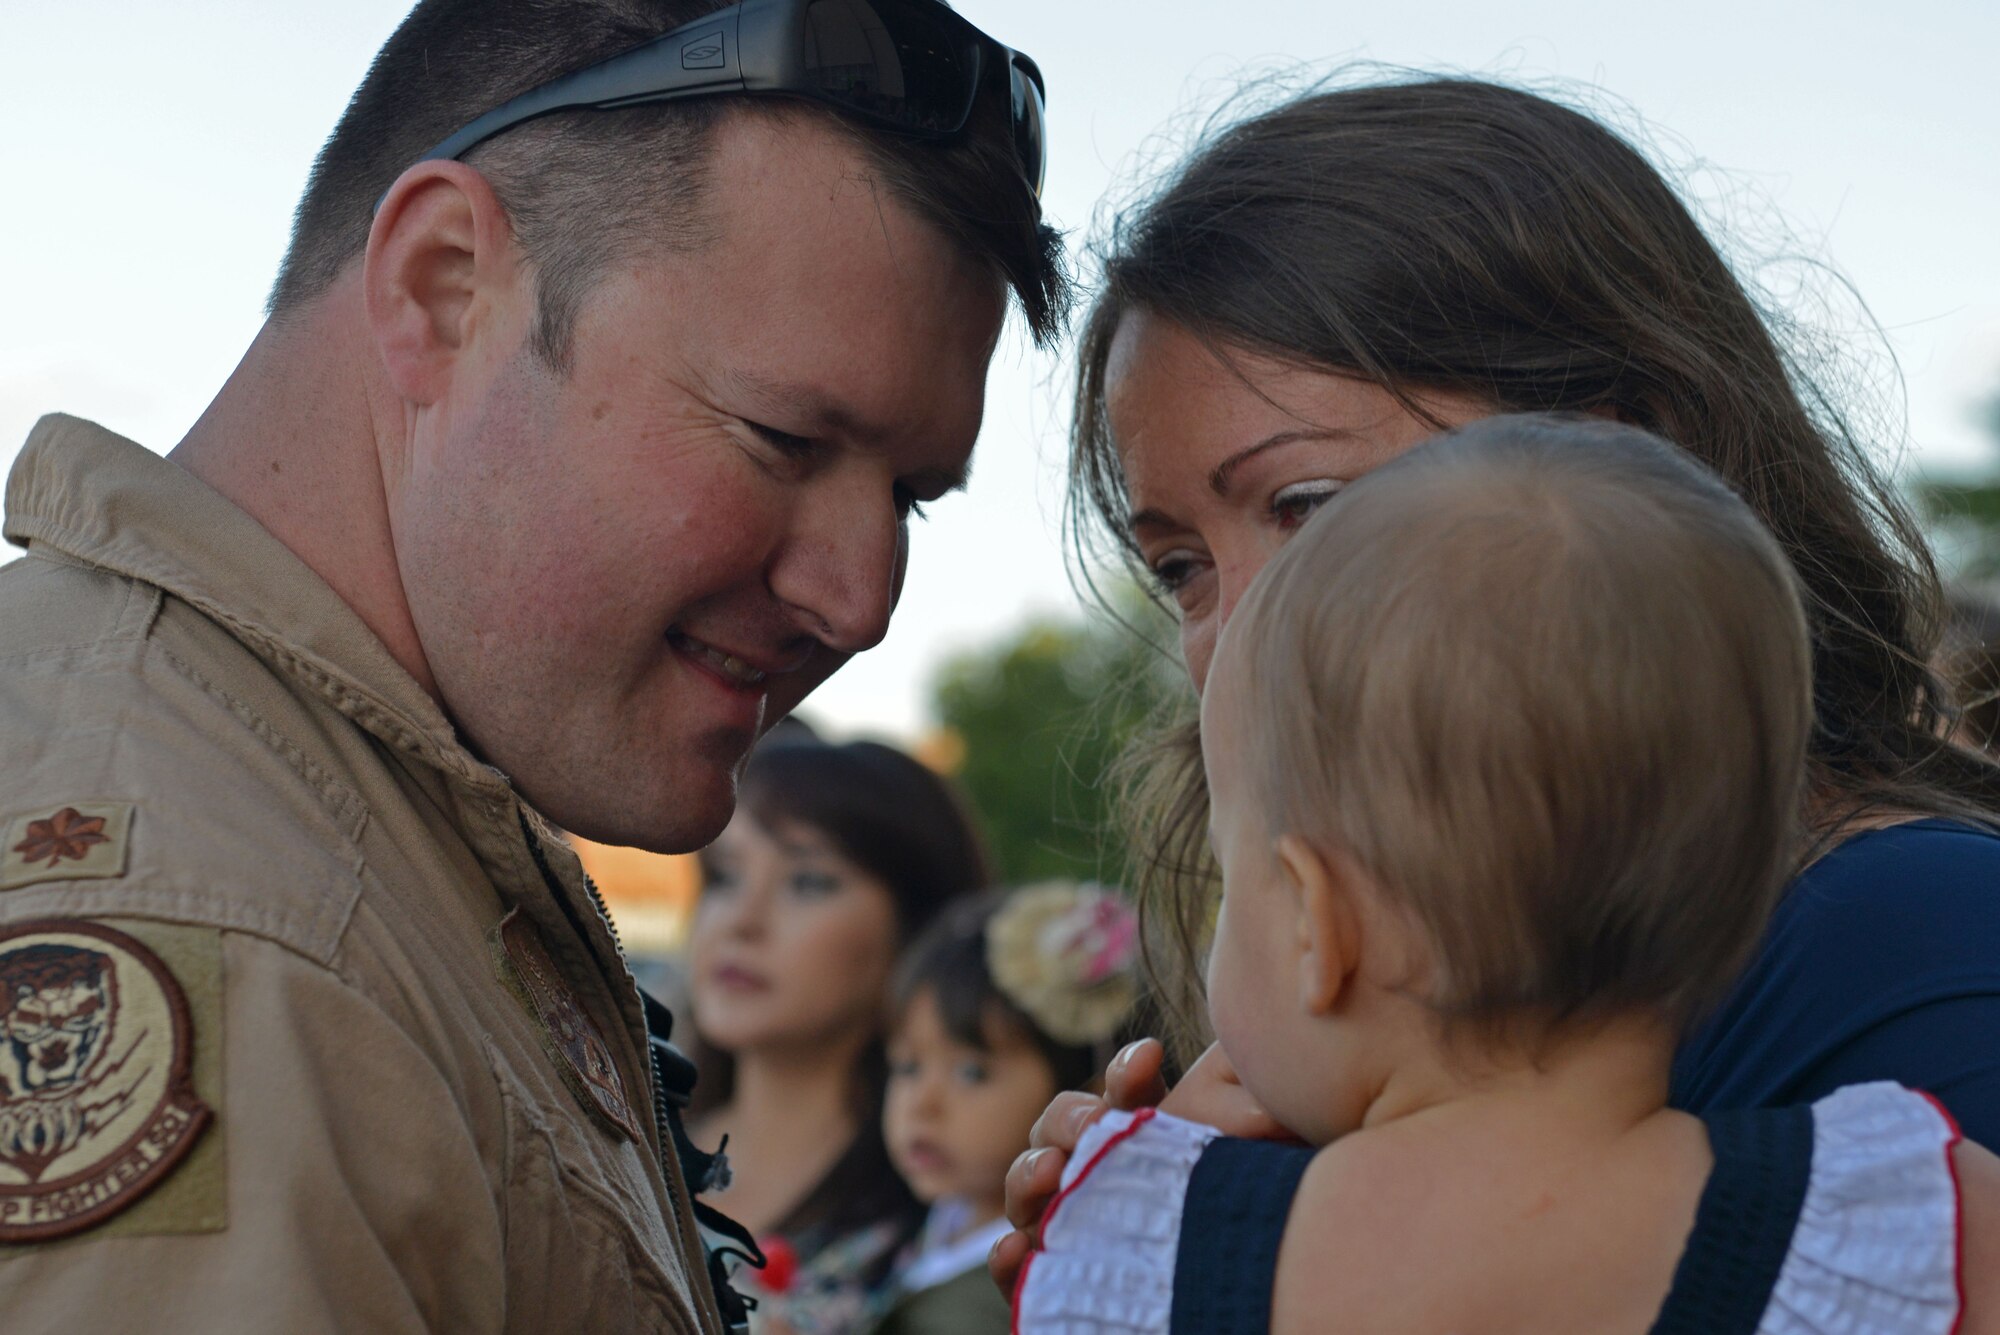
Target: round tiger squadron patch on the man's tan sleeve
column 95, row 1096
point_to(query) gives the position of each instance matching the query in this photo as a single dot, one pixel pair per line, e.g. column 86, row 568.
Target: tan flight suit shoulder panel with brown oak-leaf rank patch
column 157, row 768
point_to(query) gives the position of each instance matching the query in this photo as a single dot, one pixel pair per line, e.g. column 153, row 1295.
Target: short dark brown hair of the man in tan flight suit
column 589, row 189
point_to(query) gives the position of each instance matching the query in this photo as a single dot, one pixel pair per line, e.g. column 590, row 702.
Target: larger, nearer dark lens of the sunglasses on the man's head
column 901, row 63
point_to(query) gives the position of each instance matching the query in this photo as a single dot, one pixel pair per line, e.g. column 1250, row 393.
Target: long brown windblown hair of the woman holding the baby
column 1449, row 235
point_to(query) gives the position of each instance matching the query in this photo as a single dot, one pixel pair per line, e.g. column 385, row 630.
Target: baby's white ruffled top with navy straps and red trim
column 1865, row 1244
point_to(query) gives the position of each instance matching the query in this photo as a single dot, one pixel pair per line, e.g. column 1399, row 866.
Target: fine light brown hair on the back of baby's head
column 1549, row 680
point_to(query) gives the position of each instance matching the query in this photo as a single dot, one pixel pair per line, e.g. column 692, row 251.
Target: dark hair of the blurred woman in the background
column 905, row 826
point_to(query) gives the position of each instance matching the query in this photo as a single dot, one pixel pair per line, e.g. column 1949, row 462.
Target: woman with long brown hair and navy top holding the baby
column 1325, row 285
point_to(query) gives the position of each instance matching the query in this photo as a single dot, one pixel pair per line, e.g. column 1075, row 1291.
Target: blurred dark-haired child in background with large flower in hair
column 1003, row 1004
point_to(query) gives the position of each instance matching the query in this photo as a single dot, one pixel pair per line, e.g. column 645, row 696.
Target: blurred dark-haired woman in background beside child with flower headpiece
column 837, row 856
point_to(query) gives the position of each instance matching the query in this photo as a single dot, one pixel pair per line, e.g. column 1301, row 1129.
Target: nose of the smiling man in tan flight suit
column 843, row 571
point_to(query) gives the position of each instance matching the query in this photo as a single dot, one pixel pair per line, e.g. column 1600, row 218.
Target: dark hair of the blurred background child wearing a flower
column 951, row 964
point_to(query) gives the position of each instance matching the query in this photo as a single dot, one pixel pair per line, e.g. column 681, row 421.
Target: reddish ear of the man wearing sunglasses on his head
column 441, row 259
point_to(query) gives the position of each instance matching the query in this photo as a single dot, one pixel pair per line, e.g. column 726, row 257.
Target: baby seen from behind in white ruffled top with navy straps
column 1507, row 758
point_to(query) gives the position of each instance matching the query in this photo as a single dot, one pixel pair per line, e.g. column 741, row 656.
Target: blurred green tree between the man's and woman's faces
column 1043, row 714
